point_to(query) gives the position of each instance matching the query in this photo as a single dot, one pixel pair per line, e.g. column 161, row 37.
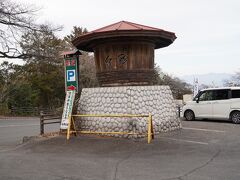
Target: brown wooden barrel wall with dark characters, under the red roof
column 124, row 63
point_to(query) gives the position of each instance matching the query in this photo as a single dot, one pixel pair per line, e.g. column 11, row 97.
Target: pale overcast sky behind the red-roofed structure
column 208, row 31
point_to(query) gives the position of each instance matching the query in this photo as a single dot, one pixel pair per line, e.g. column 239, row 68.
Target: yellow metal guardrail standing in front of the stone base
column 71, row 124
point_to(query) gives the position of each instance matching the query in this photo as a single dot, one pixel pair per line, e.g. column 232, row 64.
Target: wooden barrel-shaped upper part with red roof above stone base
column 124, row 52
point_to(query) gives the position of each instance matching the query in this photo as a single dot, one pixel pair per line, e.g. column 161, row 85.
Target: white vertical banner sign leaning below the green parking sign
column 67, row 110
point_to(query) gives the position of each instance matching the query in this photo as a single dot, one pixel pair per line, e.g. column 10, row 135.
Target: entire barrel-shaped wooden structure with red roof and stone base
column 124, row 58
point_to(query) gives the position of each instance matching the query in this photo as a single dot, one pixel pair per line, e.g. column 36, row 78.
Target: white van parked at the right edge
column 215, row 103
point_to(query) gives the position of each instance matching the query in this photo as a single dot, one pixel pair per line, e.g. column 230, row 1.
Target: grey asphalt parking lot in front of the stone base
column 201, row 150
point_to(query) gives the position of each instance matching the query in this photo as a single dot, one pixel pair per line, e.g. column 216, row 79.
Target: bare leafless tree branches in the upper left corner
column 16, row 20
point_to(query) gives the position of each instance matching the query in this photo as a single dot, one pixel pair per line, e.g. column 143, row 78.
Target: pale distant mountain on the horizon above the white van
column 210, row 79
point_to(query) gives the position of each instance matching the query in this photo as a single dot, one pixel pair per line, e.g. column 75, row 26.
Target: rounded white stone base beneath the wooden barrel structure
column 157, row 100
